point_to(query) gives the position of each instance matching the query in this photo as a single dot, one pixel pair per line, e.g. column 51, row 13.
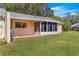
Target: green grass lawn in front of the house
column 65, row 44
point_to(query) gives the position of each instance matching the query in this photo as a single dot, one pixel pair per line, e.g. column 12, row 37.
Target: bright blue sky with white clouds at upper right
column 60, row 9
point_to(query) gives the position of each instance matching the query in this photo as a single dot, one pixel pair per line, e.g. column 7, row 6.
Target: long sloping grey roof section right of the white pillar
column 31, row 17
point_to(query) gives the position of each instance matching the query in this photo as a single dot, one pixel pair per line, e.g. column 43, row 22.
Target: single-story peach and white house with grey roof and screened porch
column 26, row 25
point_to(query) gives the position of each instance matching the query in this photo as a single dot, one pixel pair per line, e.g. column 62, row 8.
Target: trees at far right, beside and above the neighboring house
column 70, row 20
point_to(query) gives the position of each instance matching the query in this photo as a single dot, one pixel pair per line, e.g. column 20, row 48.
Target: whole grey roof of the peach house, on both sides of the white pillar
column 26, row 17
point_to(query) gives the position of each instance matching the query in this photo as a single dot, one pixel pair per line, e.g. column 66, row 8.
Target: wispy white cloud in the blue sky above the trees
column 61, row 11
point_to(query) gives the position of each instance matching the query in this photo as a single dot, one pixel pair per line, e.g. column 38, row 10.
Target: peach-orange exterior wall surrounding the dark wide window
column 29, row 30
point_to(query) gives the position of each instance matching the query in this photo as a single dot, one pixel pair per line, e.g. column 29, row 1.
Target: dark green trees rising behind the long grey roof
column 30, row 8
